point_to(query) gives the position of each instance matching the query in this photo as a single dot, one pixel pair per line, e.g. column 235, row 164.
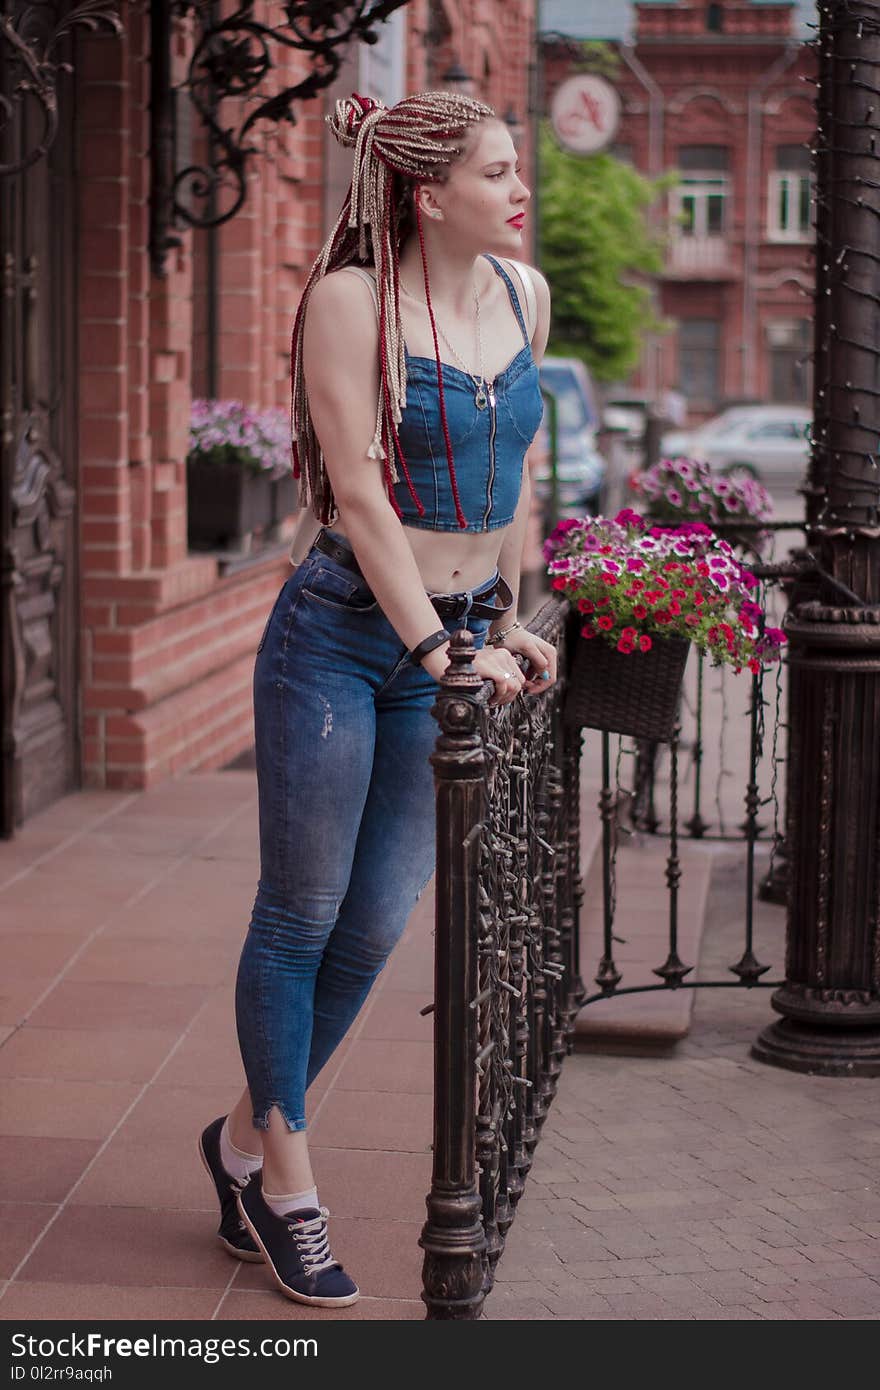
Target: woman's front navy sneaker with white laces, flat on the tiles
column 297, row 1250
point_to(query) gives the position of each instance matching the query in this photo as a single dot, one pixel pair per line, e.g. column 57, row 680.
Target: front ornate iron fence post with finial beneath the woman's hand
column 454, row 1236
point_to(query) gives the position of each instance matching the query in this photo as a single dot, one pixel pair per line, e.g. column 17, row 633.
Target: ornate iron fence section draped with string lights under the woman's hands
column 507, row 960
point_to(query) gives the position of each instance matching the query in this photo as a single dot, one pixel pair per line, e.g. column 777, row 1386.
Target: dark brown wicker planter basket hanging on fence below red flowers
column 619, row 693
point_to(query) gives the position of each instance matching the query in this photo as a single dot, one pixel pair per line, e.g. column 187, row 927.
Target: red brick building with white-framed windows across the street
column 721, row 94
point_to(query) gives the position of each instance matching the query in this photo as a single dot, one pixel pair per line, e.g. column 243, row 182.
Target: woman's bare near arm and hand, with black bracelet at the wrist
column 341, row 370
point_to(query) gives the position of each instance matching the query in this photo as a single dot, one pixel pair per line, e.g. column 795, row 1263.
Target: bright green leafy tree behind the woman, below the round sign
column 597, row 248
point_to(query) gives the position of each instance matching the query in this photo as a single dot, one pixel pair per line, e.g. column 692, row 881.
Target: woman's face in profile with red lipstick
column 484, row 199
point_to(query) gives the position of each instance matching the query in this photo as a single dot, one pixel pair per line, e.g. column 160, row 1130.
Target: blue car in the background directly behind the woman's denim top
column 580, row 468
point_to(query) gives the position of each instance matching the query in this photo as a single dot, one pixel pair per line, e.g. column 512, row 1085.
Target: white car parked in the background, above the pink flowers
column 767, row 443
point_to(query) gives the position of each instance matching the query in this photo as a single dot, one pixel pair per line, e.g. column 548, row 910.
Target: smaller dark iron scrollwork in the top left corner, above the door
column 28, row 49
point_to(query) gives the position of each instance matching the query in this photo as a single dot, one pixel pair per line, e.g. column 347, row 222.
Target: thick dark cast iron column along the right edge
column 831, row 1001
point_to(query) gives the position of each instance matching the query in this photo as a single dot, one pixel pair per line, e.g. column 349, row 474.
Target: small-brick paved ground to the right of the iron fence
column 692, row 1182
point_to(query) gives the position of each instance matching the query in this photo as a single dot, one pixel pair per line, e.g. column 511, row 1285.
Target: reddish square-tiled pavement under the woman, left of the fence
column 122, row 919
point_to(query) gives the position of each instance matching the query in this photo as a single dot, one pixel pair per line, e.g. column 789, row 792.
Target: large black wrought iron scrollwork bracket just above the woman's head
column 231, row 59
